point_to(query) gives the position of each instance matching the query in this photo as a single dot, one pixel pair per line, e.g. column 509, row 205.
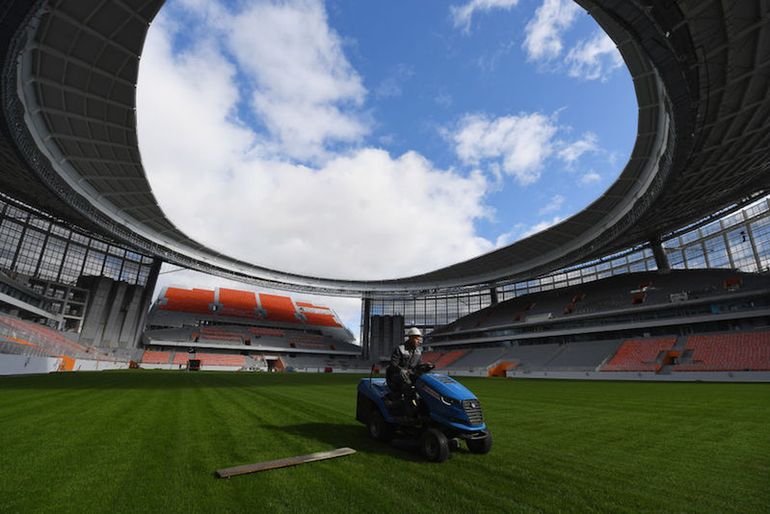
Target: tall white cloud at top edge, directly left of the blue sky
column 306, row 92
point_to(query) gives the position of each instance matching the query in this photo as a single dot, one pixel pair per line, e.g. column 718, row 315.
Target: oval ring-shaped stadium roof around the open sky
column 701, row 72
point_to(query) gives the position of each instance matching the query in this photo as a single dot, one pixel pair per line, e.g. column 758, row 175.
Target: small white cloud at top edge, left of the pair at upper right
column 544, row 32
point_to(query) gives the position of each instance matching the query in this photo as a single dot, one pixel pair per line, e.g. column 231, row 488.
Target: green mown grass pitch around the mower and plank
column 149, row 441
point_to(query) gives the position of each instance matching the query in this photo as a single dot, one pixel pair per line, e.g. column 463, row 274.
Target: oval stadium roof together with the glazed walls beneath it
column 77, row 203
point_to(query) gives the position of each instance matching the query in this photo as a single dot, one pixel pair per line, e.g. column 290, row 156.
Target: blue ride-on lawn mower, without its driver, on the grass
column 444, row 412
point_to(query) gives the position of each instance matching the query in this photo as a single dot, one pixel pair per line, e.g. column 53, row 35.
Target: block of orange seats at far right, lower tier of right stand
column 727, row 352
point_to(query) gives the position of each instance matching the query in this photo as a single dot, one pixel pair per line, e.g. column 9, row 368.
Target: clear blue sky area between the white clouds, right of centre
column 427, row 74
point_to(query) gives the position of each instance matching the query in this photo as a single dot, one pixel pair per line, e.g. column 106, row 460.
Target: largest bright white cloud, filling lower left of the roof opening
column 363, row 214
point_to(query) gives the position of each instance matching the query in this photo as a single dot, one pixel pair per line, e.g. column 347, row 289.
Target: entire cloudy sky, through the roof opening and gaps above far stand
column 372, row 140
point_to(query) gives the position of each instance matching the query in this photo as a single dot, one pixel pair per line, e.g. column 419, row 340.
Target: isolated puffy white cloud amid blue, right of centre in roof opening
column 519, row 144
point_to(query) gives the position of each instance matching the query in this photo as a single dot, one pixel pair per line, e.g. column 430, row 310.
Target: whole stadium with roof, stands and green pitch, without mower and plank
column 621, row 356
